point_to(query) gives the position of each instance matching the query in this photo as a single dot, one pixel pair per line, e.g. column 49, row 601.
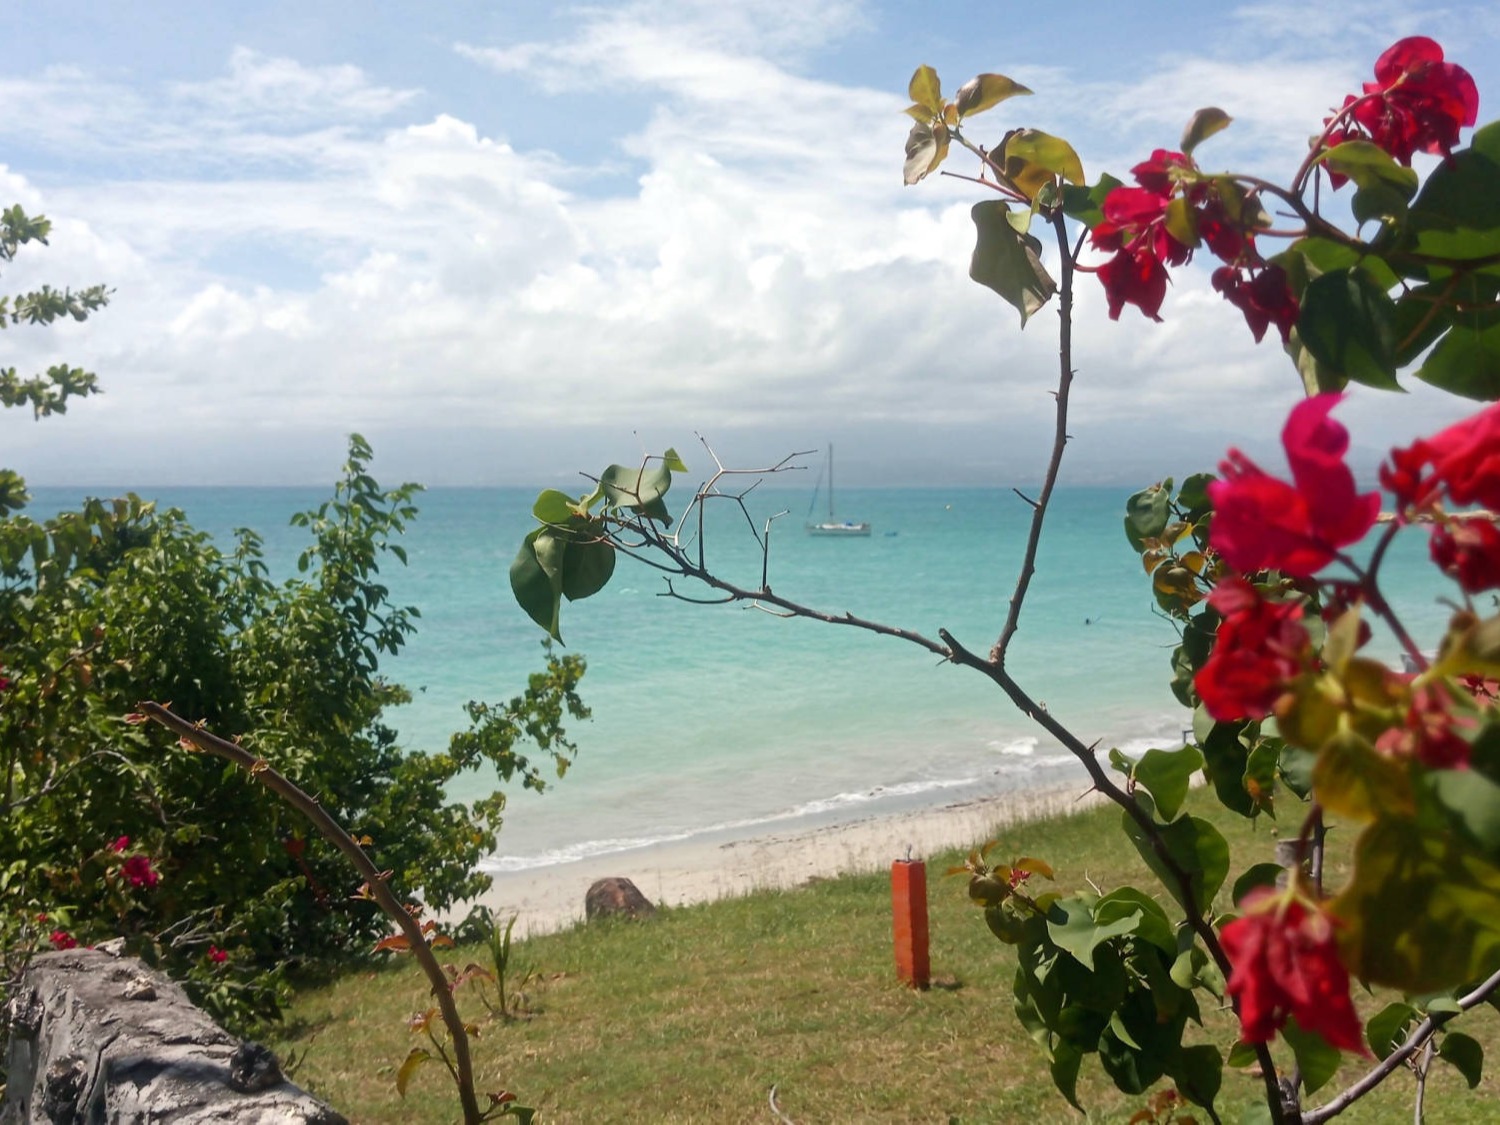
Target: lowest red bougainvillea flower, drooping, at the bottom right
column 1285, row 964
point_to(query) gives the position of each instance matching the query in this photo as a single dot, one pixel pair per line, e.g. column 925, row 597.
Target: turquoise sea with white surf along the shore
column 722, row 718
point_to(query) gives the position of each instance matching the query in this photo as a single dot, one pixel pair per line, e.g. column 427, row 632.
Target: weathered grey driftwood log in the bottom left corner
column 95, row 1037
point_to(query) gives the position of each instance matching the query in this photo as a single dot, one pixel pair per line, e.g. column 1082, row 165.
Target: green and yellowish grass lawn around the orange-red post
column 698, row 1013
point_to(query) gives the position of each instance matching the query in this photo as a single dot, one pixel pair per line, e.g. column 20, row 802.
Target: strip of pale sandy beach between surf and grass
column 548, row 899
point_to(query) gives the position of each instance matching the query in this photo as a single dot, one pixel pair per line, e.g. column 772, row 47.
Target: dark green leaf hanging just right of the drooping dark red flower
column 1348, row 323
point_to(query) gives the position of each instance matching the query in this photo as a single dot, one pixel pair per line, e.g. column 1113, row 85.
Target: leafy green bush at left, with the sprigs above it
column 109, row 829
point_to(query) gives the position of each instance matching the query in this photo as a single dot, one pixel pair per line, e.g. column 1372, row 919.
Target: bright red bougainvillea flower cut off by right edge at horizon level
column 1465, row 463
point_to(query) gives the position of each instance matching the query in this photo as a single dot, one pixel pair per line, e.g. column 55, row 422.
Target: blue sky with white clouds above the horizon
column 512, row 241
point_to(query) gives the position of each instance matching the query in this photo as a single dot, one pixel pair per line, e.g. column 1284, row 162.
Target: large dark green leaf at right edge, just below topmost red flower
column 1459, row 212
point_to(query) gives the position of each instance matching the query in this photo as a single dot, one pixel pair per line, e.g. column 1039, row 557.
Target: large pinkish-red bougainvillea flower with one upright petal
column 1264, row 523
